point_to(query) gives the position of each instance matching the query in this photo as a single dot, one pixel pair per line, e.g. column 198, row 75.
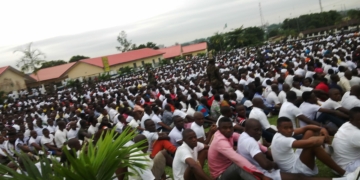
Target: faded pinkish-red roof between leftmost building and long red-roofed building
column 52, row 72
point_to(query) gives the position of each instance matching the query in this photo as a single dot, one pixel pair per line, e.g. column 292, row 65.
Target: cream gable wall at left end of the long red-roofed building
column 83, row 70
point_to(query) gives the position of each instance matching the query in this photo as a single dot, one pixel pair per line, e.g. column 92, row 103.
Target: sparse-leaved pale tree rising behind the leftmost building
column 32, row 59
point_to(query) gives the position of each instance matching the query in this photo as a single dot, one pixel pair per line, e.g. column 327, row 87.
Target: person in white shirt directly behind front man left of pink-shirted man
column 176, row 133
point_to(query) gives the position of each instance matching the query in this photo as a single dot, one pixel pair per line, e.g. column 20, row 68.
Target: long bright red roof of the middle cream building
column 124, row 57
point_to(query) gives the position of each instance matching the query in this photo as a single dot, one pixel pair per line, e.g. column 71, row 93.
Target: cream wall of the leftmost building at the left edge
column 10, row 81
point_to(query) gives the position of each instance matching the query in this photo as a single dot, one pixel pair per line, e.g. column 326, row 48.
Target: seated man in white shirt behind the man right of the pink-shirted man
column 257, row 113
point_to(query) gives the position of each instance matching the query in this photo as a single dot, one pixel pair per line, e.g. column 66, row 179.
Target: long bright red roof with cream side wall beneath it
column 134, row 59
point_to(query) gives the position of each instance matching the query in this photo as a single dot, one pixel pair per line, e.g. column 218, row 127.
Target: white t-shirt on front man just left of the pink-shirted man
column 182, row 153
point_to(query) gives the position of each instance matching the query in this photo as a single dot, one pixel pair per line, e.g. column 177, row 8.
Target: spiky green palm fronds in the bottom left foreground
column 99, row 163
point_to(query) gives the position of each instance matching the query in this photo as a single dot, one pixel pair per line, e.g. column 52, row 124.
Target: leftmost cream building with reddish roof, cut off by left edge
column 13, row 80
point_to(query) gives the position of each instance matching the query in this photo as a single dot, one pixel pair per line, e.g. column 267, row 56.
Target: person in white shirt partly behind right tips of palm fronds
column 138, row 173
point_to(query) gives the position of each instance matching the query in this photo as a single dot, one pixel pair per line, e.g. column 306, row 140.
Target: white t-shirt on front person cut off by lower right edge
column 346, row 147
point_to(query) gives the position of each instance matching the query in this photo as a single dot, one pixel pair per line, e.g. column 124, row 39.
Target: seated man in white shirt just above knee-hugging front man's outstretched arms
column 310, row 107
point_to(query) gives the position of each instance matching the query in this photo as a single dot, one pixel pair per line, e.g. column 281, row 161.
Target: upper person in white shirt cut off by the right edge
column 351, row 99
